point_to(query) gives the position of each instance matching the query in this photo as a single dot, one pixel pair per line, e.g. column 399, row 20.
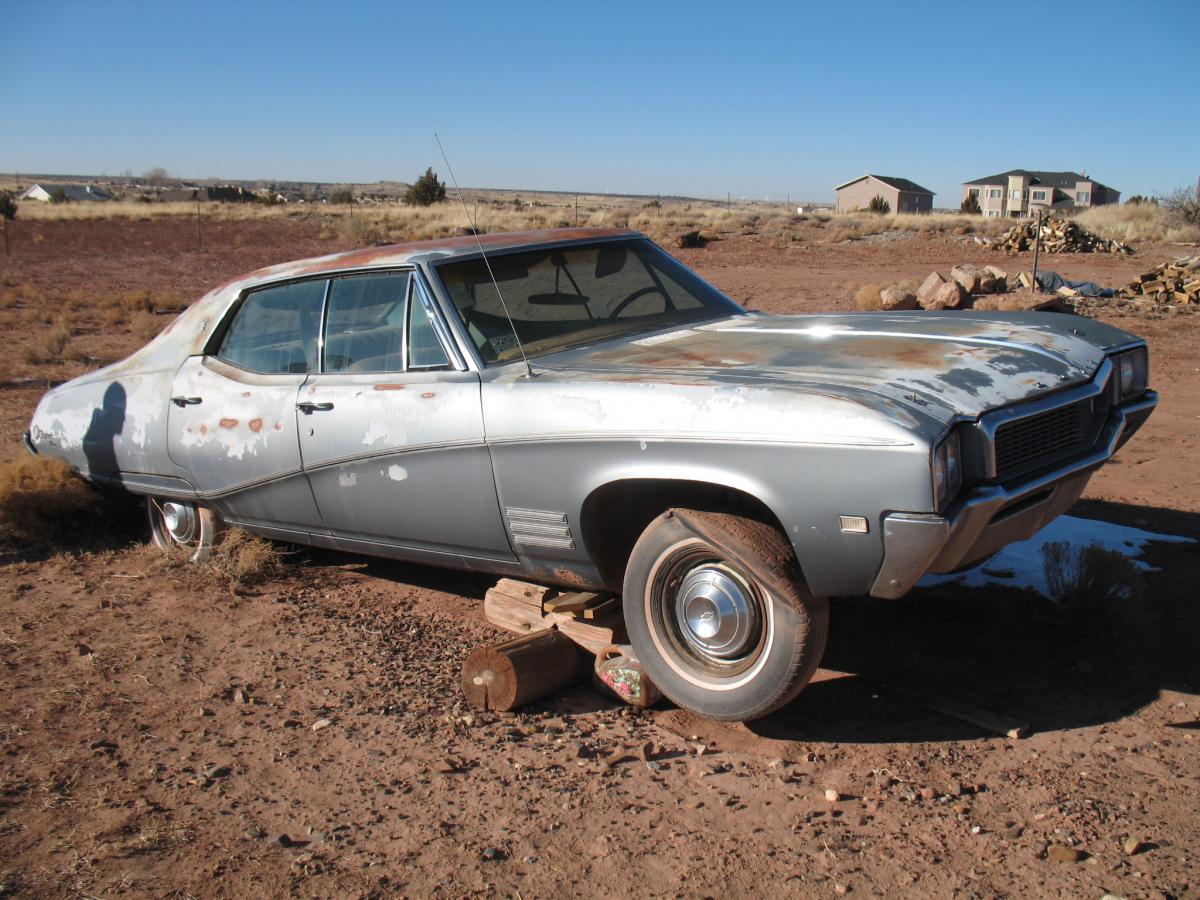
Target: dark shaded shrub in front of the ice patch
column 1093, row 580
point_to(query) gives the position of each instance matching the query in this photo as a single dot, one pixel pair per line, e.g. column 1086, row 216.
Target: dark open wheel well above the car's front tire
column 615, row 515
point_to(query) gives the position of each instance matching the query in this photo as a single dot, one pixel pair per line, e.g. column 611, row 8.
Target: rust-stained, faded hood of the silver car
column 944, row 364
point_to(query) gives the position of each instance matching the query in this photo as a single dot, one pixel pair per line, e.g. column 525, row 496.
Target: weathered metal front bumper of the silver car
column 994, row 517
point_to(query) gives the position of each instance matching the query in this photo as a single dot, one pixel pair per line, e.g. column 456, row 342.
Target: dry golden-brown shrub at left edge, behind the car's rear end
column 44, row 503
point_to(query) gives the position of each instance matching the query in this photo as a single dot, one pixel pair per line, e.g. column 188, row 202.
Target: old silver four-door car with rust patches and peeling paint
column 578, row 409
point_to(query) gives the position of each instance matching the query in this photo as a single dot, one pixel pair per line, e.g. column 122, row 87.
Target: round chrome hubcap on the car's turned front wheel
column 717, row 614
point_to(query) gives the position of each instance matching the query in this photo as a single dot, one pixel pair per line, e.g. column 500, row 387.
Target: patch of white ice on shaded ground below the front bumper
column 1019, row 566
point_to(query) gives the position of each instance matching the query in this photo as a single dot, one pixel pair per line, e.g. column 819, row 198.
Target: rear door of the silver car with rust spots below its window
column 233, row 411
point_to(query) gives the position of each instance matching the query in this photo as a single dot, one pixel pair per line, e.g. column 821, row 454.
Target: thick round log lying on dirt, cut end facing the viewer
column 506, row 676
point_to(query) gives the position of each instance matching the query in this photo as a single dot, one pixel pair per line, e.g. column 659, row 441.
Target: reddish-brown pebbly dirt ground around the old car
column 158, row 731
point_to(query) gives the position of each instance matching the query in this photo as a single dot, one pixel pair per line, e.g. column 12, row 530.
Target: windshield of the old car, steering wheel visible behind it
column 573, row 296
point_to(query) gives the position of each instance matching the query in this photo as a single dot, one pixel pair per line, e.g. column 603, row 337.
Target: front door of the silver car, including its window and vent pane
column 392, row 430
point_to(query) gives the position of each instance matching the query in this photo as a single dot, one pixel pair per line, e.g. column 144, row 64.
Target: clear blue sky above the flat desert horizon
column 757, row 99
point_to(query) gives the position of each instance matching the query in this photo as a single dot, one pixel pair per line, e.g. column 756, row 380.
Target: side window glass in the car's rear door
column 275, row 331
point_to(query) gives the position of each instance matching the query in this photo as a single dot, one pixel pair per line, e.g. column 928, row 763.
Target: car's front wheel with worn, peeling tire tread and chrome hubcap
column 719, row 614
